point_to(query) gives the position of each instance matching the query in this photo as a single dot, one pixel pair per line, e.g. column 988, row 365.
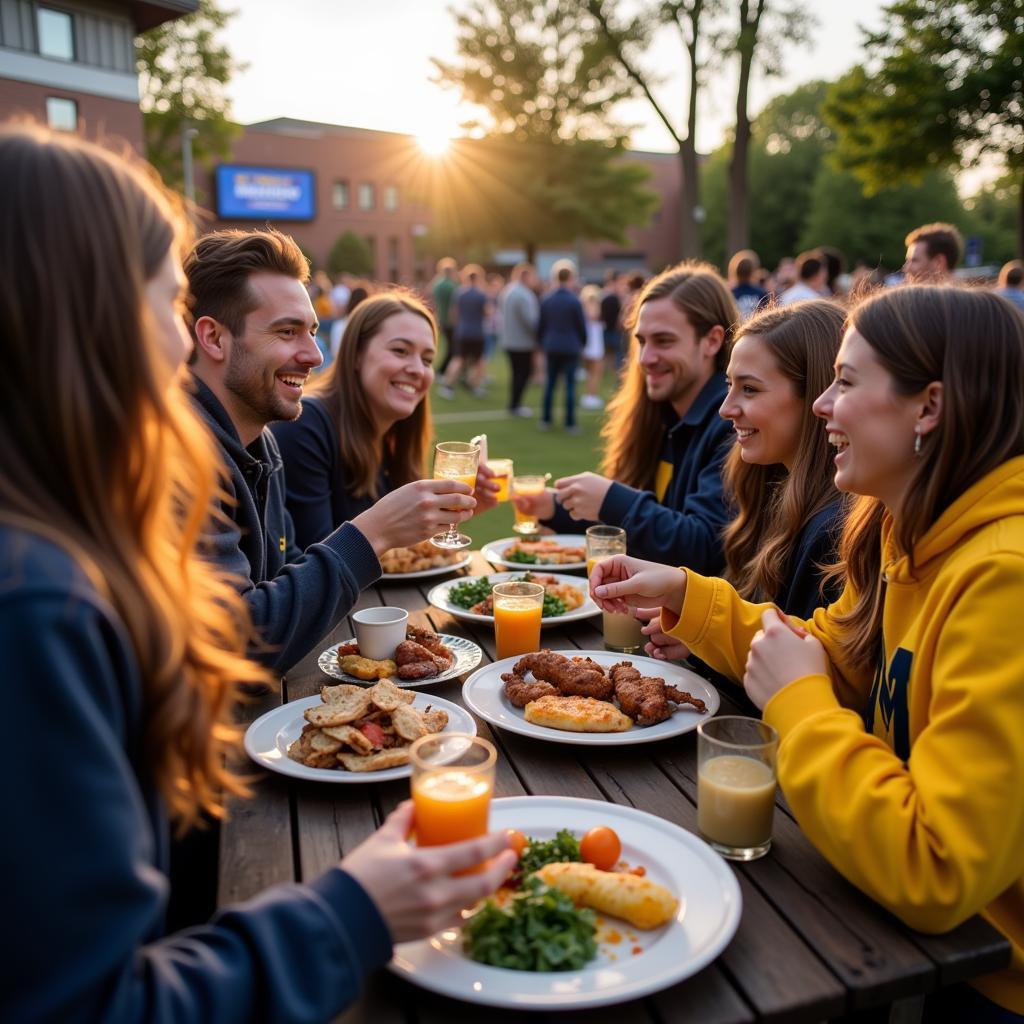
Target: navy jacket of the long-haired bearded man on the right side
column 686, row 528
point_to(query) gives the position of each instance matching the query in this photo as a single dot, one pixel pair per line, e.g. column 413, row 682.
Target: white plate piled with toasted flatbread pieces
column 351, row 734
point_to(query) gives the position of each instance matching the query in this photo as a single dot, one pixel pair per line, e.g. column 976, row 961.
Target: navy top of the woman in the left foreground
column 84, row 854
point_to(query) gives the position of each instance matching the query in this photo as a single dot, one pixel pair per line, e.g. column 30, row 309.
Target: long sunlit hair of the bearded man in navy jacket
column 635, row 423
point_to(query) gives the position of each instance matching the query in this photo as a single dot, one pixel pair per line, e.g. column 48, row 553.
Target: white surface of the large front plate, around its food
column 709, row 915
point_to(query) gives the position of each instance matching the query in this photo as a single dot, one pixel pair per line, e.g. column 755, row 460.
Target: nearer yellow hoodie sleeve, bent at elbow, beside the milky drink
column 934, row 840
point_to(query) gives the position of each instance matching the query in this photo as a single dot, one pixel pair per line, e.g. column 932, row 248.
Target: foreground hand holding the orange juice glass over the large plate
column 414, row 888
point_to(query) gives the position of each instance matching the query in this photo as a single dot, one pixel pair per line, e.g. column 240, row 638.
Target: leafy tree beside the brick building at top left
column 183, row 73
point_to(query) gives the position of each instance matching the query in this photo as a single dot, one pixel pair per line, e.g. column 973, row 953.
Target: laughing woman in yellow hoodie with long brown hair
column 901, row 707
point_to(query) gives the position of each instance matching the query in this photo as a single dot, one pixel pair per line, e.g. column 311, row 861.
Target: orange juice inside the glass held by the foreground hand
column 452, row 805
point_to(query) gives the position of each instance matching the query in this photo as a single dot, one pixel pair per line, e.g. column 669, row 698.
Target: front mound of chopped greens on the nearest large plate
column 539, row 930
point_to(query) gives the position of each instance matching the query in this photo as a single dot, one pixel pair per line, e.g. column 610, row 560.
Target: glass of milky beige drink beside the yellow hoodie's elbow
column 737, row 786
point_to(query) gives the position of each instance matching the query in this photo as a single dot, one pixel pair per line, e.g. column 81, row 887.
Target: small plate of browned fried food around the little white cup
column 423, row 659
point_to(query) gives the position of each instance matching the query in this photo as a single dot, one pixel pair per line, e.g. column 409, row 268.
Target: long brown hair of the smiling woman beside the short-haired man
column 404, row 450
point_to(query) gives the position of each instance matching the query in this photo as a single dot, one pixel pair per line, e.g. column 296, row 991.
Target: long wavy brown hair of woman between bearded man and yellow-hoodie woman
column 774, row 505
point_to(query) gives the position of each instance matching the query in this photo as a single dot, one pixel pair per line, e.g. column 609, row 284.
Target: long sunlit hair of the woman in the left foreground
column 110, row 462
